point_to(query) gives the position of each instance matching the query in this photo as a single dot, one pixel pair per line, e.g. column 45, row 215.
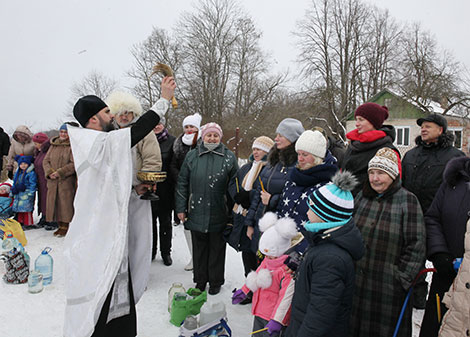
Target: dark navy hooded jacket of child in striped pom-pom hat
column 324, row 285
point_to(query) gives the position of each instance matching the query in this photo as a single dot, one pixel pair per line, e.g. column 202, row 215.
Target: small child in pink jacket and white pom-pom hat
column 271, row 285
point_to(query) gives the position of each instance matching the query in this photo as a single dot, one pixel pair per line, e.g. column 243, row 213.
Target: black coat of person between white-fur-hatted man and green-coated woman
column 166, row 189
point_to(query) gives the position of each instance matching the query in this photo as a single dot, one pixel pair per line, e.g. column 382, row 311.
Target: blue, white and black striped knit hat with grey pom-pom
column 334, row 202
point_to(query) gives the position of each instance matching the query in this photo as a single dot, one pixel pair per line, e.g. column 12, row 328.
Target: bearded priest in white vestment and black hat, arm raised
column 108, row 246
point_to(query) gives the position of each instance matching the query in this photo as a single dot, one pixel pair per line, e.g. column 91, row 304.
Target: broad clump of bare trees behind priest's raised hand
column 218, row 63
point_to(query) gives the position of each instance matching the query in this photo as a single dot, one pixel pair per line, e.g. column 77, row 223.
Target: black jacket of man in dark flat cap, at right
column 423, row 166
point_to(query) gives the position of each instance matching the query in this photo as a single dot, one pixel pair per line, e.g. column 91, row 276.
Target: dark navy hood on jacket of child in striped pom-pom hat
column 347, row 237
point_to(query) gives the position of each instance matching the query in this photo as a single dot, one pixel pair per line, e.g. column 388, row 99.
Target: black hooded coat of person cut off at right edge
column 447, row 217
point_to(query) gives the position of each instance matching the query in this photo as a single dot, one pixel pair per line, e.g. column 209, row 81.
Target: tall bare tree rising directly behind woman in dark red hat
column 331, row 43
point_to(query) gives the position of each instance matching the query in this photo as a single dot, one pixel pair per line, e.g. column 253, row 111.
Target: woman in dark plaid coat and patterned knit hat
column 392, row 226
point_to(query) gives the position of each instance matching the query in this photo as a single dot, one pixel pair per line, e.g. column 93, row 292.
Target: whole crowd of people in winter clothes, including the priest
column 332, row 240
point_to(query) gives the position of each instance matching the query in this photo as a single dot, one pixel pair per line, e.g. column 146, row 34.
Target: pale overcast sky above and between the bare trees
column 50, row 44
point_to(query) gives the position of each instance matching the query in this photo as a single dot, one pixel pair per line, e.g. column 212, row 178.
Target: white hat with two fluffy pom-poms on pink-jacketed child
column 277, row 234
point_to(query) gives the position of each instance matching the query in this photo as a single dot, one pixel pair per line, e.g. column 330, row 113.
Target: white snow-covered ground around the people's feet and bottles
column 37, row 315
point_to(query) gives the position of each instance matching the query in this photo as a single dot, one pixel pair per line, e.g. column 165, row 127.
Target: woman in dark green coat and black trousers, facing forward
column 201, row 202
